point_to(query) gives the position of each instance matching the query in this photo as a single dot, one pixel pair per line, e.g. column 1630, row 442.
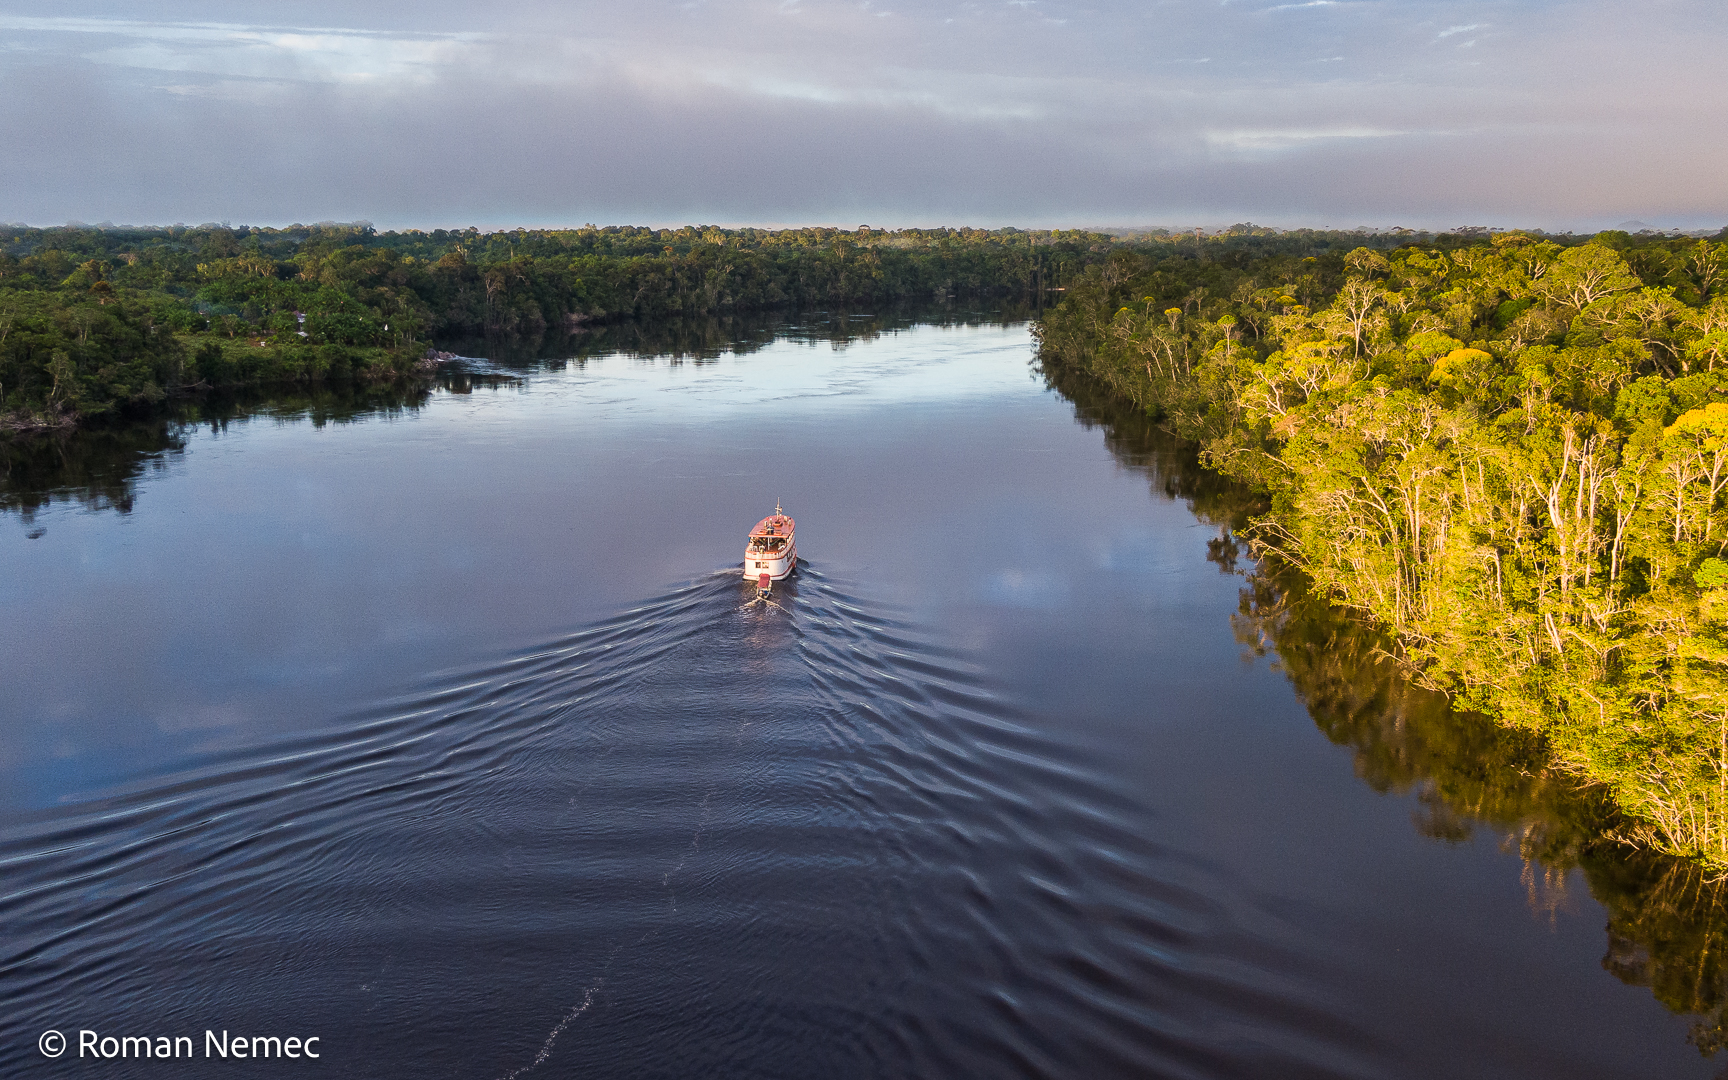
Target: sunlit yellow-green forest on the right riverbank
column 1508, row 450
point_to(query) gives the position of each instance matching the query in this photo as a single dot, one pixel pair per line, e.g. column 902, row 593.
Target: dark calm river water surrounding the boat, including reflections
column 435, row 727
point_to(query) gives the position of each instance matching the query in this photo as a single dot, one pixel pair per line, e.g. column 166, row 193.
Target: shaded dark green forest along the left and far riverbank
column 99, row 319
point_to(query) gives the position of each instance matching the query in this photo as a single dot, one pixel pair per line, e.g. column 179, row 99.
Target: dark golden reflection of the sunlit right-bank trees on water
column 1668, row 920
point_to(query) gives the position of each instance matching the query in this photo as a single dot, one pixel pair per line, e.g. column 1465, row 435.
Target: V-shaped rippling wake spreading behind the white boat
column 690, row 839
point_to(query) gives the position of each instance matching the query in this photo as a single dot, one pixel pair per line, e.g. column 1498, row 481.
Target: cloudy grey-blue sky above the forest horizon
column 889, row 113
